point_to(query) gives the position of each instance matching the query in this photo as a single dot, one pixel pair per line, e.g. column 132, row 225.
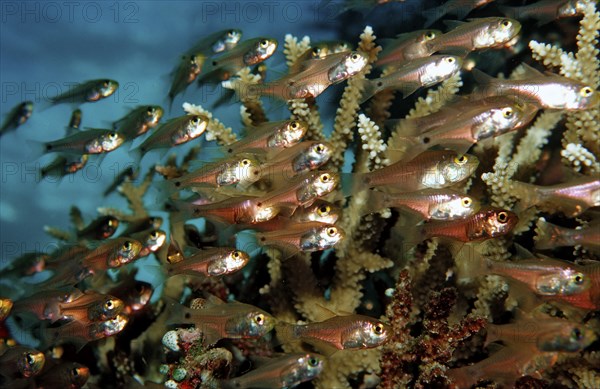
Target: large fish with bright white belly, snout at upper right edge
column 546, row 91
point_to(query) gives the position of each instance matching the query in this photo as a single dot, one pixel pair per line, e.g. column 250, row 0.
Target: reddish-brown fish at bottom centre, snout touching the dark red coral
column 348, row 332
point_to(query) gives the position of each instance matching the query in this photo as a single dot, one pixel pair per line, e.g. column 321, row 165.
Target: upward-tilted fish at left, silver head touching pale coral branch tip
column 175, row 132
